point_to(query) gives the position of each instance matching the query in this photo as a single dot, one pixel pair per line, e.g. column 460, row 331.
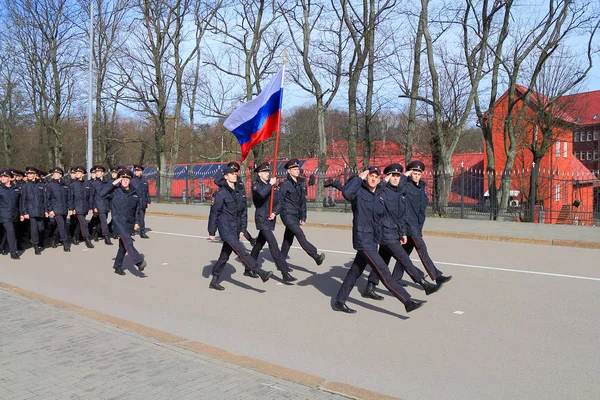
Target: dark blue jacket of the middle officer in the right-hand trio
column 393, row 225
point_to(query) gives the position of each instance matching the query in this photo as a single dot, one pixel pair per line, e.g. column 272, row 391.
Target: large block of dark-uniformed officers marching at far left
column 35, row 204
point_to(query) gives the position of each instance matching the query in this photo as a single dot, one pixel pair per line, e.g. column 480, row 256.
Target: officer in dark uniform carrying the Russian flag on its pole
column 262, row 189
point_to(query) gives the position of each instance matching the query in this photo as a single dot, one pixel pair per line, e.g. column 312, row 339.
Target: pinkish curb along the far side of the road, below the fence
column 453, row 235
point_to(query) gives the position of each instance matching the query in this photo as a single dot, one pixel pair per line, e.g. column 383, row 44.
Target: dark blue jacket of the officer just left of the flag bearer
column 228, row 213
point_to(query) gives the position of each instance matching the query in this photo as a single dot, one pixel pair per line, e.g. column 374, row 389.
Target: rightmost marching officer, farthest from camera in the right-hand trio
column 416, row 204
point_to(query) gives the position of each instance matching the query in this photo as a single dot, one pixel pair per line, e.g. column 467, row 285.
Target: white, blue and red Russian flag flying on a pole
column 257, row 120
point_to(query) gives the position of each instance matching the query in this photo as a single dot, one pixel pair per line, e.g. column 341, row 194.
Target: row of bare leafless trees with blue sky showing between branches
column 176, row 68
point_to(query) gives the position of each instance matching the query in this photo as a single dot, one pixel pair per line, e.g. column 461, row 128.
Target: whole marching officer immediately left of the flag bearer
column 229, row 214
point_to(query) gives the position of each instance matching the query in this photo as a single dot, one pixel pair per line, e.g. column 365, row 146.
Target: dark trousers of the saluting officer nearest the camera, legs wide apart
column 372, row 258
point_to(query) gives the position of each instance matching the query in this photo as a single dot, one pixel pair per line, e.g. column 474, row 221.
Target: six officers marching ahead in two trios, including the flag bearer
column 388, row 218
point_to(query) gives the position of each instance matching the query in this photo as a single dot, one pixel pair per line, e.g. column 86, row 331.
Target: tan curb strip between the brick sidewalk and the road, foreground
column 265, row 367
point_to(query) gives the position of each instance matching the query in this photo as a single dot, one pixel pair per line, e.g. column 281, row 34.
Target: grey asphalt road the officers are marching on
column 517, row 321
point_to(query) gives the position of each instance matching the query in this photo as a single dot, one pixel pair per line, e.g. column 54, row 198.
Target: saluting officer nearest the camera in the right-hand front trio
column 368, row 212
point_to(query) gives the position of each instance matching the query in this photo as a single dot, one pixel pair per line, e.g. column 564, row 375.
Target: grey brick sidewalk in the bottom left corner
column 49, row 353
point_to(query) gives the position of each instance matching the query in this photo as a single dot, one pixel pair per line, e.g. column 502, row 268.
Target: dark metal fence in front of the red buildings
column 559, row 198
